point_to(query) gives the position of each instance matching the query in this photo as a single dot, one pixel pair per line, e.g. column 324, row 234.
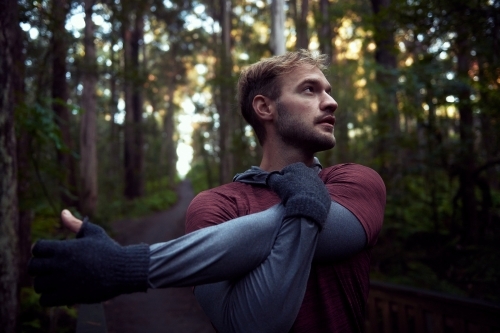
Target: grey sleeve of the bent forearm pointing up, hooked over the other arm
column 276, row 286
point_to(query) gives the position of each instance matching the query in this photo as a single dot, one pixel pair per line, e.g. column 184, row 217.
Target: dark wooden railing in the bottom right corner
column 398, row 309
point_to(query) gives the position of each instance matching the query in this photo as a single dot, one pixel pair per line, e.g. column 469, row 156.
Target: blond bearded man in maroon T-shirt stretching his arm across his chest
column 279, row 249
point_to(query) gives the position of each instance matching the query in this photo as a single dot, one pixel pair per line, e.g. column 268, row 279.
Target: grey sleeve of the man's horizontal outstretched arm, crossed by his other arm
column 232, row 249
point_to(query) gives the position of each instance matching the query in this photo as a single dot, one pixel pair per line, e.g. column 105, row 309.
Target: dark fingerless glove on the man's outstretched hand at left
column 89, row 269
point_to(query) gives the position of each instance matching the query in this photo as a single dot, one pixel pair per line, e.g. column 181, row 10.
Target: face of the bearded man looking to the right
column 305, row 110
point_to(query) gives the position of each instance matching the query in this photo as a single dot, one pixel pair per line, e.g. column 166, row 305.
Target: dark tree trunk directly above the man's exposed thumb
column 59, row 103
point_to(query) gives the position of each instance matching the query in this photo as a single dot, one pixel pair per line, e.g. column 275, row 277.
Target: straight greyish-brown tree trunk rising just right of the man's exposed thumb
column 88, row 129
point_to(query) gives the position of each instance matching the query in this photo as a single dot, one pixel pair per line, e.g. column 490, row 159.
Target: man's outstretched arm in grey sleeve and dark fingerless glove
column 222, row 252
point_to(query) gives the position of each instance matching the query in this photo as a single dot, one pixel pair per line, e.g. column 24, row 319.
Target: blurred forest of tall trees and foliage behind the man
column 107, row 104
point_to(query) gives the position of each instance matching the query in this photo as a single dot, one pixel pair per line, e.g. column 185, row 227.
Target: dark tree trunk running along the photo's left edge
column 9, row 248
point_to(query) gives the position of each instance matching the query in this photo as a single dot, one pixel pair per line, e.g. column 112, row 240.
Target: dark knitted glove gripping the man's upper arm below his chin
column 302, row 192
